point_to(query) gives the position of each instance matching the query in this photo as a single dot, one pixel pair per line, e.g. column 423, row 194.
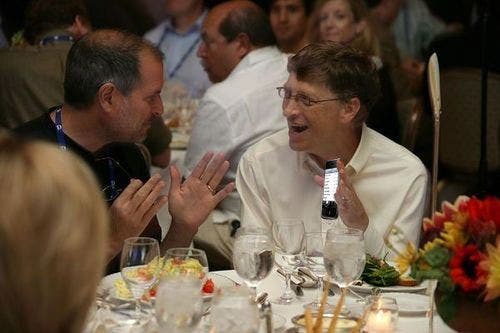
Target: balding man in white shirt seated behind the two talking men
column 239, row 56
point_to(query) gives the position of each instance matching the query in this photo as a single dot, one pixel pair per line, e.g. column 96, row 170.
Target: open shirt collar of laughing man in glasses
column 307, row 164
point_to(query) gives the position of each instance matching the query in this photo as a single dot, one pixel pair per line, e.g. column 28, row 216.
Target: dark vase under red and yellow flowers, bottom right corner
column 466, row 313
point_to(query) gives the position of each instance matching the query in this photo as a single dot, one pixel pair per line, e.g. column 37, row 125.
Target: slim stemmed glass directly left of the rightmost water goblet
column 315, row 246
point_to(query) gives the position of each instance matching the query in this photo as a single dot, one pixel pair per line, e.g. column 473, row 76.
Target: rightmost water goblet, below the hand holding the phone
column 344, row 255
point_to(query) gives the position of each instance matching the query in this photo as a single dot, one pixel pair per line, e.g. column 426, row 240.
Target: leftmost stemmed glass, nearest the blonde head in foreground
column 139, row 265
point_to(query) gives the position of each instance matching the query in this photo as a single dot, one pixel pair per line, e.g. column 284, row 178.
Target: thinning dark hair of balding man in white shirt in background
column 250, row 20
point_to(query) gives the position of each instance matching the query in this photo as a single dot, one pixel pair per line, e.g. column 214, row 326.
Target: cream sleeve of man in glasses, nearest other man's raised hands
column 255, row 207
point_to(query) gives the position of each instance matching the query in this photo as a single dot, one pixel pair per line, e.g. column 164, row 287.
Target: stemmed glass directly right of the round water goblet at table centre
column 288, row 237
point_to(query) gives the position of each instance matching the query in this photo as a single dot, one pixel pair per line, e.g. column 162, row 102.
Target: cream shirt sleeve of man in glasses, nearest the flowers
column 408, row 223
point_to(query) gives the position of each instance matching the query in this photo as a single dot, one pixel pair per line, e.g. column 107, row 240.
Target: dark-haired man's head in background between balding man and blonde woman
column 289, row 20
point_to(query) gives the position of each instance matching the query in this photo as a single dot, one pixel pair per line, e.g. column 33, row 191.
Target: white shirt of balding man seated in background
column 236, row 113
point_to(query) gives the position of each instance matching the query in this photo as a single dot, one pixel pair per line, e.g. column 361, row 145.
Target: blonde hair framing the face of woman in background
column 366, row 41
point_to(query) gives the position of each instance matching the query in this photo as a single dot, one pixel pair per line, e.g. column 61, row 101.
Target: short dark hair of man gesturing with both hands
column 100, row 57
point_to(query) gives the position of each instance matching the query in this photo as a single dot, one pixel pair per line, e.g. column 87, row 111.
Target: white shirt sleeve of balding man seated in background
column 211, row 132
